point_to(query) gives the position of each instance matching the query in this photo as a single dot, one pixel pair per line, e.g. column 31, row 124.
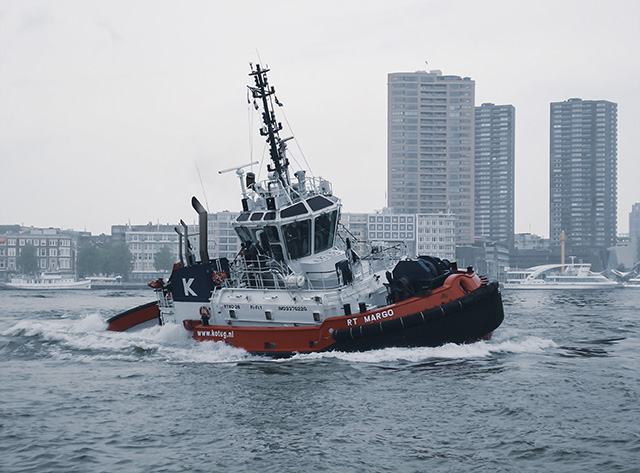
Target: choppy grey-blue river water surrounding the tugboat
column 556, row 389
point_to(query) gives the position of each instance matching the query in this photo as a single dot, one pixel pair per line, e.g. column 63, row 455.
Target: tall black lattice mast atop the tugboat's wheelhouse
column 271, row 126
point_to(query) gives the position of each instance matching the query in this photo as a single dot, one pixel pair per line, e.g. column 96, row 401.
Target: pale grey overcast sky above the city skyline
column 108, row 109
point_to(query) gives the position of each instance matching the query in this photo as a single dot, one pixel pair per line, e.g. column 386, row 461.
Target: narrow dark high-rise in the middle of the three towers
column 495, row 173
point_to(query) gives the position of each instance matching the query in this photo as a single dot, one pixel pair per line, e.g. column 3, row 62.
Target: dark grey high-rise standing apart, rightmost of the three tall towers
column 583, row 178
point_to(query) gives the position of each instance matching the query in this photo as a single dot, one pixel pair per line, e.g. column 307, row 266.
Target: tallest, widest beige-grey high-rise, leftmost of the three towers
column 430, row 136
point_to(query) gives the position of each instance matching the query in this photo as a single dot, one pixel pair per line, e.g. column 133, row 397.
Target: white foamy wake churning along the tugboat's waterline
column 86, row 339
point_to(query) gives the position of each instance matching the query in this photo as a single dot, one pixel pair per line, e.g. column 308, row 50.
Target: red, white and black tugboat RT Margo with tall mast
column 299, row 286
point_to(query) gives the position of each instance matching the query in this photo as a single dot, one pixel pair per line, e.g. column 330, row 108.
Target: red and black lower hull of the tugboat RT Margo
column 451, row 313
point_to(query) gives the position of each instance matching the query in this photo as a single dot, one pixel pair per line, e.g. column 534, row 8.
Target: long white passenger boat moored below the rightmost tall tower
column 558, row 276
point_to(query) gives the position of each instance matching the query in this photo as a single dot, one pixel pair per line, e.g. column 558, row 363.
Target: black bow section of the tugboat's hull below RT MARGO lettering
column 468, row 319
